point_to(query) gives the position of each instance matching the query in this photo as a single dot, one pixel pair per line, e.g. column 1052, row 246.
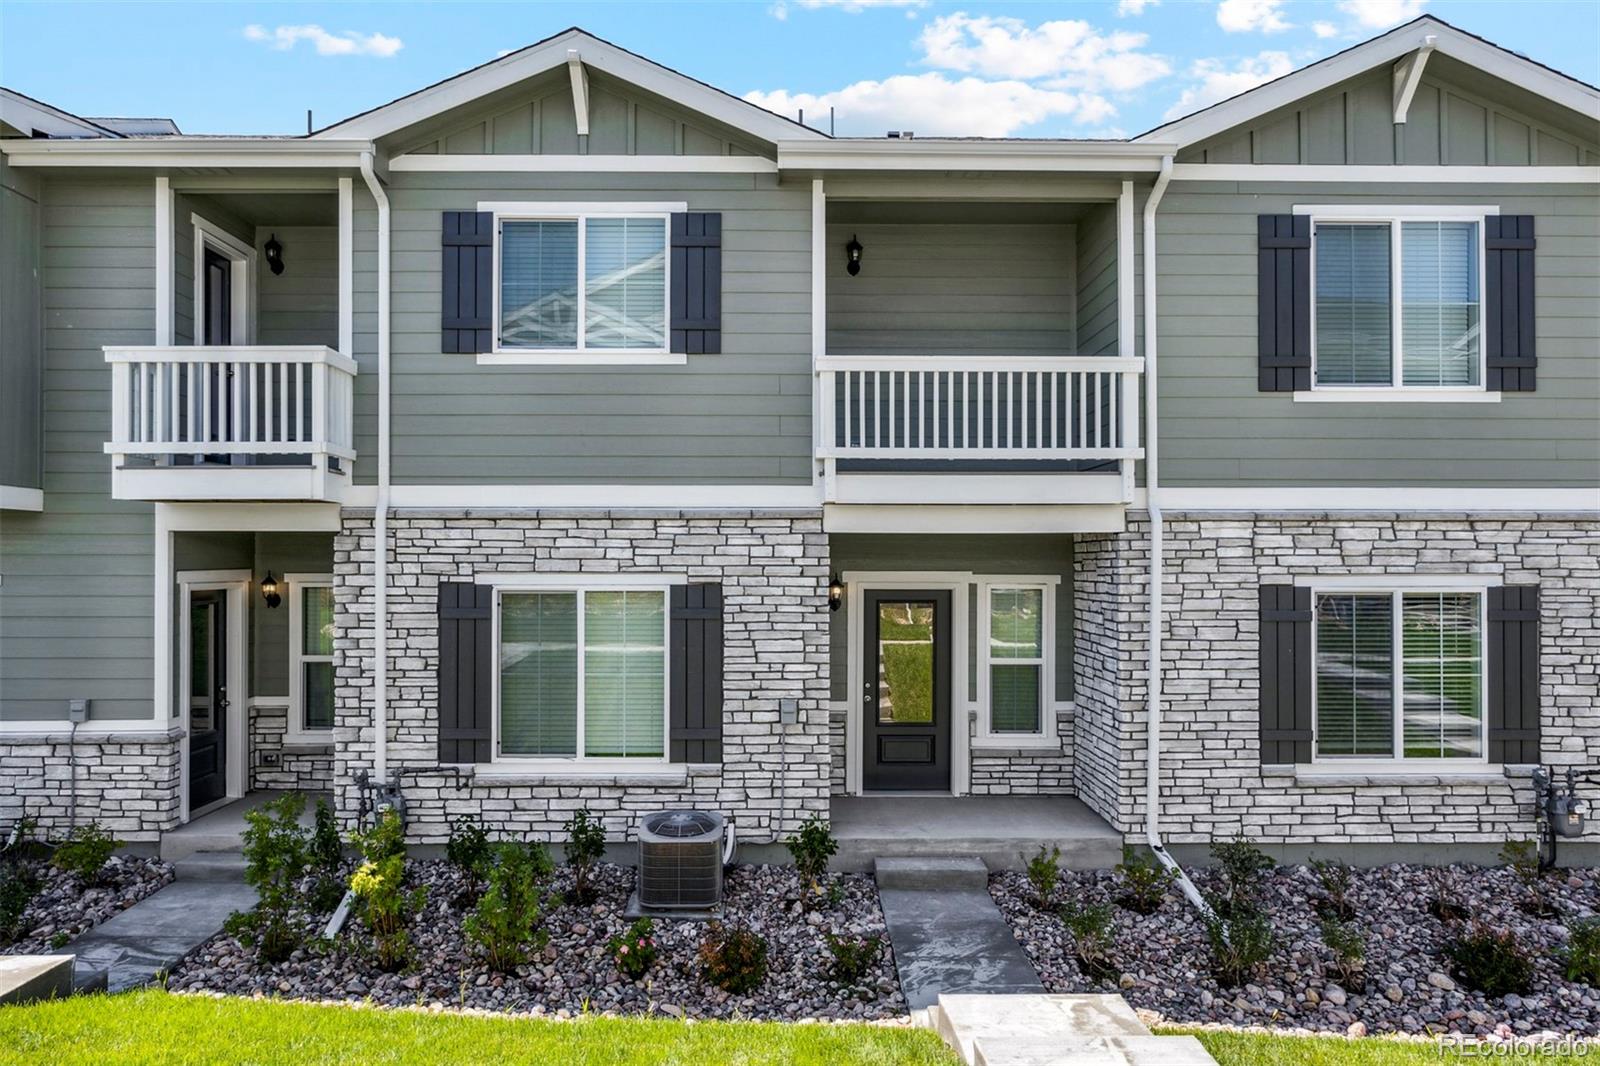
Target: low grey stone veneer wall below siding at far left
column 126, row 782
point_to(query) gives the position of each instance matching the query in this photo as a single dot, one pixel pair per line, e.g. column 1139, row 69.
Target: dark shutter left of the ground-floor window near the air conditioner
column 465, row 662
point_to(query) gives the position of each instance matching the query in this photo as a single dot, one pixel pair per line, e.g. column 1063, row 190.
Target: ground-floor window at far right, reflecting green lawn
column 1399, row 675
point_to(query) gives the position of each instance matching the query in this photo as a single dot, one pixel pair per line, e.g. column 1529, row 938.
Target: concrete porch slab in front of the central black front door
column 999, row 830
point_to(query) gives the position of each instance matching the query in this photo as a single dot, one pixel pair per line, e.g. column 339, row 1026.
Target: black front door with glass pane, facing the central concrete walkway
column 906, row 692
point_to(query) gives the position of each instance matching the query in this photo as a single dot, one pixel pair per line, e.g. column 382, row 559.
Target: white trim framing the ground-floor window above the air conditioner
column 580, row 587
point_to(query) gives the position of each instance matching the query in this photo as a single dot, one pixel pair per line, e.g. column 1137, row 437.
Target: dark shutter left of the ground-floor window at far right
column 1286, row 675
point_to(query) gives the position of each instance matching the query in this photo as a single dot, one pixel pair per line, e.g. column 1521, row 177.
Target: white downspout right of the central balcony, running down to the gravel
column 1153, row 774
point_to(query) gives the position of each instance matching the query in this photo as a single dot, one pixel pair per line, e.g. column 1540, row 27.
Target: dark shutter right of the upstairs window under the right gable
column 1508, row 319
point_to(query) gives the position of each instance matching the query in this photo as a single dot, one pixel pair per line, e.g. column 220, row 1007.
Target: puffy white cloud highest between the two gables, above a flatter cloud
column 1070, row 52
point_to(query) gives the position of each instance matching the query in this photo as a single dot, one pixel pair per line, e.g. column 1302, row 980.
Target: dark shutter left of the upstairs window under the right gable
column 1284, row 303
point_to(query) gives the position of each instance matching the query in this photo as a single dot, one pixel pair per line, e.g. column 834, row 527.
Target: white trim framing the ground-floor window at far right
column 1399, row 764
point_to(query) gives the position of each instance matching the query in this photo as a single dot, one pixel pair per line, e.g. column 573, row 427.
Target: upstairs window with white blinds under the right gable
column 1398, row 299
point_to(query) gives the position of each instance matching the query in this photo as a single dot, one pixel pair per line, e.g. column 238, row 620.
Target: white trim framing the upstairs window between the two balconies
column 582, row 356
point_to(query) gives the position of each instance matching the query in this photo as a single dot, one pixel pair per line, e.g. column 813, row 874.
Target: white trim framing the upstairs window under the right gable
column 1396, row 393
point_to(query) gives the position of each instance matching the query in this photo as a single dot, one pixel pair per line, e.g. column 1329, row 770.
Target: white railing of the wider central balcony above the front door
column 934, row 407
